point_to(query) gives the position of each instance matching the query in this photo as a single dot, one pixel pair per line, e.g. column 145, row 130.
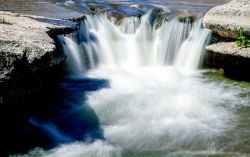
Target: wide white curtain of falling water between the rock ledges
column 135, row 42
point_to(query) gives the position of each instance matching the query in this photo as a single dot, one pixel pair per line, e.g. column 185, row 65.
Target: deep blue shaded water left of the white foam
column 74, row 119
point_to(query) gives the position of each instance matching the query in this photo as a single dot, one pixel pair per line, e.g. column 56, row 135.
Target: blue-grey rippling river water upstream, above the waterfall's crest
column 198, row 6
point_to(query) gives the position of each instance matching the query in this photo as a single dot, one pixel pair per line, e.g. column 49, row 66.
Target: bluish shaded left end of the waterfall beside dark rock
column 80, row 49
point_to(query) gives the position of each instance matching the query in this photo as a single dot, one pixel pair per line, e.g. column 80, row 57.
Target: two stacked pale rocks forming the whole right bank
column 224, row 20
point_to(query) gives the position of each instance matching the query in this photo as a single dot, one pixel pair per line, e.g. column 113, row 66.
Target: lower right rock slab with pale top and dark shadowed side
column 235, row 61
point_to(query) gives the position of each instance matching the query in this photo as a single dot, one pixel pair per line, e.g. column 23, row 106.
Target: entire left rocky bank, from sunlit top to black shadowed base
column 31, row 63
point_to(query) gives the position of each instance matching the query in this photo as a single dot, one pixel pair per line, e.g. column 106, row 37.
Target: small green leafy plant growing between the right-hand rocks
column 242, row 39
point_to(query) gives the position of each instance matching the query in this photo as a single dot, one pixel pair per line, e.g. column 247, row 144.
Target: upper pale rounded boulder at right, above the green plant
column 226, row 18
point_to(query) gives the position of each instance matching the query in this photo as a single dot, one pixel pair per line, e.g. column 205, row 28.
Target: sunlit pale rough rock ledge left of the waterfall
column 28, row 36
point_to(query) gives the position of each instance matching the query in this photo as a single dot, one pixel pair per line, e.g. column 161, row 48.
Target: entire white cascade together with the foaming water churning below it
column 157, row 103
